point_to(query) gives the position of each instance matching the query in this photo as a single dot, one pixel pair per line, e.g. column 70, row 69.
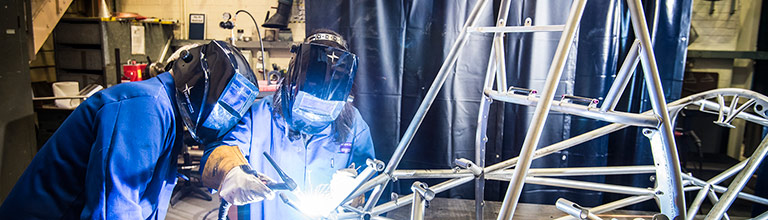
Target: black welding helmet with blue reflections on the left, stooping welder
column 215, row 87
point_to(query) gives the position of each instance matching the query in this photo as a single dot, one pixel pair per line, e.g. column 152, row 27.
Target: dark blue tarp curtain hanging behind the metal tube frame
column 401, row 45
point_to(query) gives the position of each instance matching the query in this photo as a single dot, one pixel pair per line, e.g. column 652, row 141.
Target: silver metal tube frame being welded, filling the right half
column 670, row 185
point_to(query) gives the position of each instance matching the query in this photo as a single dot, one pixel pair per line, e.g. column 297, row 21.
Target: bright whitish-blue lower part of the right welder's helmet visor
column 311, row 115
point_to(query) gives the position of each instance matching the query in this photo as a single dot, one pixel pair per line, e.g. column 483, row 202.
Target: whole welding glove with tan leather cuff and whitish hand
column 227, row 170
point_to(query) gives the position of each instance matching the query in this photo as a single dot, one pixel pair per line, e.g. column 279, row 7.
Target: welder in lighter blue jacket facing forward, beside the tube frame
column 309, row 127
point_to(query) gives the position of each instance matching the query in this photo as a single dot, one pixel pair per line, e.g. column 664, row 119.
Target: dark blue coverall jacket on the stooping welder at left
column 114, row 157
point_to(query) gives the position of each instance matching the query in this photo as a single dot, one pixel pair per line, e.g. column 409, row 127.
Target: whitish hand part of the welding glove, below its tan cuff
column 241, row 187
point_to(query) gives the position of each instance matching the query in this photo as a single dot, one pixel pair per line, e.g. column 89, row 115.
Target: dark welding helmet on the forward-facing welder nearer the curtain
column 318, row 83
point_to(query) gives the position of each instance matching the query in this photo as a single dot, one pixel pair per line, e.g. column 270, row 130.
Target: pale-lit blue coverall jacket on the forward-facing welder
column 310, row 161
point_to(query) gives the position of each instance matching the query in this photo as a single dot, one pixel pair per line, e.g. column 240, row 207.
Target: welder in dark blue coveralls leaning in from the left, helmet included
column 115, row 156
